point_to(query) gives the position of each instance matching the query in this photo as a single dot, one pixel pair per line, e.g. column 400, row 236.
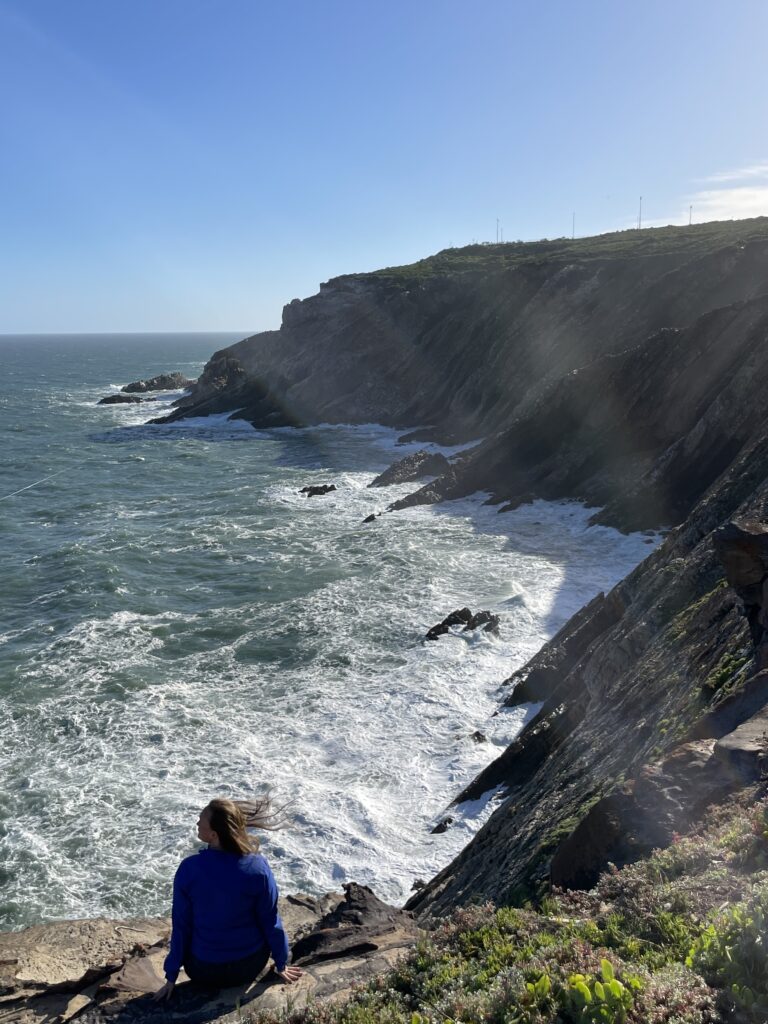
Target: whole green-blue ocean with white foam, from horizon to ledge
column 179, row 622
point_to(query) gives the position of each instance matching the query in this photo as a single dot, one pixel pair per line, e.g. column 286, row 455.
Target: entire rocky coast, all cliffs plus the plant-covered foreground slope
column 628, row 371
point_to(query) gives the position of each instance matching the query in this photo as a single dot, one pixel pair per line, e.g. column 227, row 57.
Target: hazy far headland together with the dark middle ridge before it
column 626, row 370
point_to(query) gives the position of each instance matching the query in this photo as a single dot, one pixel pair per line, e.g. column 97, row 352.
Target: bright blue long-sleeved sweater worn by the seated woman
column 225, row 909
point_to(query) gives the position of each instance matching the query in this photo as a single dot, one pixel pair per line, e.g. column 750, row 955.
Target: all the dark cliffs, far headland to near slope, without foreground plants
column 629, row 371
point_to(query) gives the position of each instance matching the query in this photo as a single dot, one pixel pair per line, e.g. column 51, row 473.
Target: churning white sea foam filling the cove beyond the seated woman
column 309, row 672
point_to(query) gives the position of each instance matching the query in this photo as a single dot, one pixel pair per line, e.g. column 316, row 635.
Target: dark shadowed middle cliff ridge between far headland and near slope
column 644, row 433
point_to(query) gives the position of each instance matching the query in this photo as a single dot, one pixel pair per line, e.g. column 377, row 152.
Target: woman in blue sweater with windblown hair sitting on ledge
column 226, row 920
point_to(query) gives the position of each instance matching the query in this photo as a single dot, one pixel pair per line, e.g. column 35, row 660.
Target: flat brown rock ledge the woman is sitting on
column 107, row 970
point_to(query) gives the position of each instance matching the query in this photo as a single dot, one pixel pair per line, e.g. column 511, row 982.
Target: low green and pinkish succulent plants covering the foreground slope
column 678, row 938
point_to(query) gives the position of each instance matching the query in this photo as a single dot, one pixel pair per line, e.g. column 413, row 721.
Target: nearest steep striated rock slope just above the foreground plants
column 647, row 695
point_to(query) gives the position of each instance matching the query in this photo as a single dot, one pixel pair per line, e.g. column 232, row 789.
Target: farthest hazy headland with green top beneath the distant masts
column 468, row 340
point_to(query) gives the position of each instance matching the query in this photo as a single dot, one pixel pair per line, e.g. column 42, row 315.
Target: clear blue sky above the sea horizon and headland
column 196, row 164
